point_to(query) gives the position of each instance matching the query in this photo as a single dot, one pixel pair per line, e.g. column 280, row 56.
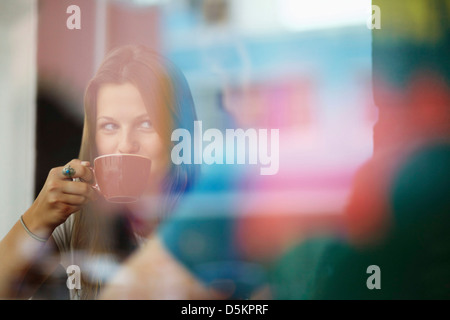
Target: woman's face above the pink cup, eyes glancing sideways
column 123, row 125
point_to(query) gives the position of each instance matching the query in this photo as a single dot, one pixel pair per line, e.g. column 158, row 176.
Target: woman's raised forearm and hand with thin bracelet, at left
column 19, row 251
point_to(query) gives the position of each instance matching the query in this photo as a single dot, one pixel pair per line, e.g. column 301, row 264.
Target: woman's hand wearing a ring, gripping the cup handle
column 60, row 197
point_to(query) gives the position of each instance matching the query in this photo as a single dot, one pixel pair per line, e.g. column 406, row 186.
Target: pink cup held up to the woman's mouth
column 121, row 178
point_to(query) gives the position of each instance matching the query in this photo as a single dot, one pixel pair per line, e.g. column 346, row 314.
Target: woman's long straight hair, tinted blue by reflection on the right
column 170, row 105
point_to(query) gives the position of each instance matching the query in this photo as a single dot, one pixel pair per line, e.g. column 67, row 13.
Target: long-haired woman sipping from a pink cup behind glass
column 132, row 105
